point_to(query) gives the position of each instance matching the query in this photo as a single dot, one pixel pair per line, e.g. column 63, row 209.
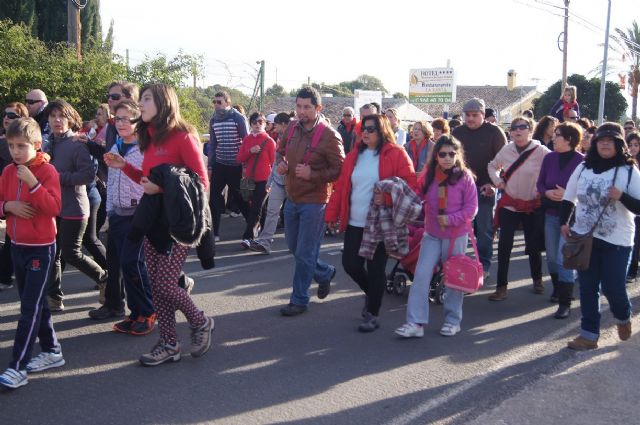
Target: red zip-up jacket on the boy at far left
column 44, row 197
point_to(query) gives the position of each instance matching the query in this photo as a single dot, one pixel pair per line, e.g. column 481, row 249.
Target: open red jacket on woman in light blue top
column 394, row 162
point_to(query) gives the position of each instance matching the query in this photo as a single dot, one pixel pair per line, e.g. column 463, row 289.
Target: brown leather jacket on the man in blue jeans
column 325, row 162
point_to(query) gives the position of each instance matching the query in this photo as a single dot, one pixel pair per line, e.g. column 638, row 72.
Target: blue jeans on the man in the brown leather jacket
column 304, row 230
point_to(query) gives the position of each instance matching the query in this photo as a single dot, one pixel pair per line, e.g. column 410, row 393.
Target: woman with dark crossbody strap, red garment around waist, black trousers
column 515, row 171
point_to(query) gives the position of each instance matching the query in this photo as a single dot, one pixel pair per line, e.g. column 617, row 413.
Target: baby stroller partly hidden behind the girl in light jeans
column 405, row 268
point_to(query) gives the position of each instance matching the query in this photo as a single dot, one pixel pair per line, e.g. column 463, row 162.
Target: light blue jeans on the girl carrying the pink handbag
column 432, row 251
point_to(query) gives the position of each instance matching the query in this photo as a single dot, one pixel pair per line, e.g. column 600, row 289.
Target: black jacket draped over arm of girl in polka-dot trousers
column 181, row 213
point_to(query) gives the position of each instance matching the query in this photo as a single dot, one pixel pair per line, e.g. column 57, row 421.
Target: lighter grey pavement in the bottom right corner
column 596, row 387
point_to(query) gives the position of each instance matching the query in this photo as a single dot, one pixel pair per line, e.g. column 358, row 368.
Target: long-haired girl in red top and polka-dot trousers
column 165, row 138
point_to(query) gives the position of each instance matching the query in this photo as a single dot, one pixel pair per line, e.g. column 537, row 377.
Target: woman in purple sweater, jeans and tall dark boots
column 556, row 169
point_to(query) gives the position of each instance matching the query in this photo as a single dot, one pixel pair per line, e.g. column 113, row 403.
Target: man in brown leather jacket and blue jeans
column 312, row 159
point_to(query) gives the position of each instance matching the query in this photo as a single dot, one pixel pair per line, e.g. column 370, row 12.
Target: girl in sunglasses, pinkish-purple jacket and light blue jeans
column 450, row 202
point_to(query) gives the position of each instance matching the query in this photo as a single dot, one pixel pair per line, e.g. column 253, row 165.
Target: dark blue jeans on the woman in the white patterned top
column 607, row 270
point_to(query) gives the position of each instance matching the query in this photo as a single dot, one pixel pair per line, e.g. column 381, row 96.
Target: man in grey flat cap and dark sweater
column 481, row 141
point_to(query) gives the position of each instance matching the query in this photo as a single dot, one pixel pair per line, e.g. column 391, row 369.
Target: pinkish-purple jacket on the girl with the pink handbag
column 462, row 205
